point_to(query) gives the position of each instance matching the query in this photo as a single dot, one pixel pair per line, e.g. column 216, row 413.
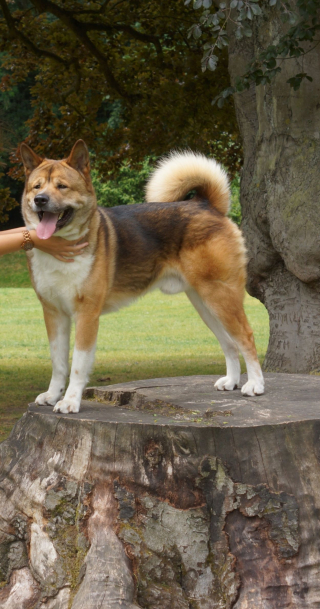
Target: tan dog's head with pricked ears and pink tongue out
column 58, row 197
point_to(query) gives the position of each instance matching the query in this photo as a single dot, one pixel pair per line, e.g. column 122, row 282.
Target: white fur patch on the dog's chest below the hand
column 60, row 282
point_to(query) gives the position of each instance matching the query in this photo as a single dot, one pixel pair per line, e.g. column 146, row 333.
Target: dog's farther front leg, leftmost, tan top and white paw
column 58, row 329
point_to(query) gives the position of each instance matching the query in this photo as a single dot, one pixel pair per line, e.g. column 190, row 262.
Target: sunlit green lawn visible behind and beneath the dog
column 158, row 336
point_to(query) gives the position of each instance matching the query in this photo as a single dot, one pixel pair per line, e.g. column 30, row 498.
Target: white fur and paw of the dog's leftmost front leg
column 59, row 349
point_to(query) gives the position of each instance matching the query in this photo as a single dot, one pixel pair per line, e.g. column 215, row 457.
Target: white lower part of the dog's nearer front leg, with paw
column 82, row 362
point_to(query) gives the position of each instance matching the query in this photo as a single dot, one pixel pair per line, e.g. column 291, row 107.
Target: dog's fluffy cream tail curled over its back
column 181, row 172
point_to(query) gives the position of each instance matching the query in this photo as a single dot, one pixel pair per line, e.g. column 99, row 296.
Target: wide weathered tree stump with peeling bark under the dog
column 165, row 494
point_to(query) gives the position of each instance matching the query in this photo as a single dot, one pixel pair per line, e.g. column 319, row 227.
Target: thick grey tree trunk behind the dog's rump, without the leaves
column 280, row 196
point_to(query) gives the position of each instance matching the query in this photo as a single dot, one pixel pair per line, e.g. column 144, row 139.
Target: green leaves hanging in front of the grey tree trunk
column 237, row 17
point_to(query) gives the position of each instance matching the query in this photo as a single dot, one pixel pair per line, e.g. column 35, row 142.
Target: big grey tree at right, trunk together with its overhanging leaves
column 274, row 69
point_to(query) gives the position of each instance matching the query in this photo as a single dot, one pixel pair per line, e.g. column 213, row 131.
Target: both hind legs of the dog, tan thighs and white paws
column 224, row 305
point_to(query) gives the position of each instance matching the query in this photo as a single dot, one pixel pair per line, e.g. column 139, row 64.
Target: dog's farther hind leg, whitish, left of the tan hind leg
column 229, row 347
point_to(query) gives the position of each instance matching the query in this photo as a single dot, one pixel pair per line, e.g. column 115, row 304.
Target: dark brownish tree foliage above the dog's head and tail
column 122, row 75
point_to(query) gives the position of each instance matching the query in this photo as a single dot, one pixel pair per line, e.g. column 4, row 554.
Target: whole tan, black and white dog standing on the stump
column 168, row 242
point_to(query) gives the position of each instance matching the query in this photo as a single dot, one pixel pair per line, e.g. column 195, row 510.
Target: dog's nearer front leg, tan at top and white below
column 82, row 362
